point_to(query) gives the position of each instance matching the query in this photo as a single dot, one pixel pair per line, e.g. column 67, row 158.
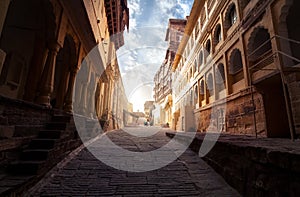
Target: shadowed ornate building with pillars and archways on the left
column 57, row 59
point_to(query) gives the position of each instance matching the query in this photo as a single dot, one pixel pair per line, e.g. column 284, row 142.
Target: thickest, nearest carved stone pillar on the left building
column 47, row 80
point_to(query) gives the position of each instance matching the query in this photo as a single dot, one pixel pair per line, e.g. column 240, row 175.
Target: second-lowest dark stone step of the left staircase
column 34, row 155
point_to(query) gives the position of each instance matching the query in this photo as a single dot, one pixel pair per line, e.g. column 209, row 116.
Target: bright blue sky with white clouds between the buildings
column 145, row 46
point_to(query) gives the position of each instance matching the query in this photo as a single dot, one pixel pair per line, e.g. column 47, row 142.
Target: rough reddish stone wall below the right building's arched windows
column 239, row 115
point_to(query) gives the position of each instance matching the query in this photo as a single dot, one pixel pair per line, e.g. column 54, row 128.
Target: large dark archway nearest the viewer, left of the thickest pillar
column 28, row 27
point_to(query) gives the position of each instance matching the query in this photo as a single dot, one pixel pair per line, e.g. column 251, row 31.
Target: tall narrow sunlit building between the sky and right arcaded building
column 163, row 77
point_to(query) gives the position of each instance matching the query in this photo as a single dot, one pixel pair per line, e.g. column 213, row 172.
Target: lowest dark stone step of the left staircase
column 25, row 167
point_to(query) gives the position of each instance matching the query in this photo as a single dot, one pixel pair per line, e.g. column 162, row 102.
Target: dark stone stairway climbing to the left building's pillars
column 41, row 153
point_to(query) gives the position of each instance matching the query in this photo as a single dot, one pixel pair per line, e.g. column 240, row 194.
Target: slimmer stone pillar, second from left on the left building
column 69, row 95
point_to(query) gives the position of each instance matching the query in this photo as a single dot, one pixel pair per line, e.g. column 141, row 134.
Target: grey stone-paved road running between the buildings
column 84, row 175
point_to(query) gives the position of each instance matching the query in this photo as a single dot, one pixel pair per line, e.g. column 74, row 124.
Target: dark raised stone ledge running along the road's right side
column 255, row 167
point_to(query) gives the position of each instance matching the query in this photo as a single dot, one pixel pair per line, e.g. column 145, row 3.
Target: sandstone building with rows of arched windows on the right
column 236, row 68
